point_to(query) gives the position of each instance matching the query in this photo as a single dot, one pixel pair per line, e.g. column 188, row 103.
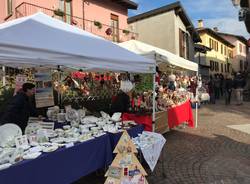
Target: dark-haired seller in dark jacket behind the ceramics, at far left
column 19, row 108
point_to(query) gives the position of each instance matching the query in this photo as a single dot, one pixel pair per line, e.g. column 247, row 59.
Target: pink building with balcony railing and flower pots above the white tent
column 106, row 18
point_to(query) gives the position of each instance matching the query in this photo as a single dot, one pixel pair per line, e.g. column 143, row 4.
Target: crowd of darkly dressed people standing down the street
column 220, row 87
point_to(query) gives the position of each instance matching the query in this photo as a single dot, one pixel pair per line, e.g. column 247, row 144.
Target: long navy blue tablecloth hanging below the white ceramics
column 63, row 166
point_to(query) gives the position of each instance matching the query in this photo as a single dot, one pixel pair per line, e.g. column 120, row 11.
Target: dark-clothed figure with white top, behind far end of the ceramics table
column 122, row 100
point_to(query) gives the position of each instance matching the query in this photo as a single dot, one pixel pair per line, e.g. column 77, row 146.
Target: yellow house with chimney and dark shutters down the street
column 220, row 58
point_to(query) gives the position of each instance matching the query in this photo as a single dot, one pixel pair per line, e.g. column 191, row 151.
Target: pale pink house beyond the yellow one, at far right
column 240, row 52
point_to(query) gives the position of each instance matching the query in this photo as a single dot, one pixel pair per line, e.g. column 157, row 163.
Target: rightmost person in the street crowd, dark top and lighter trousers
column 239, row 84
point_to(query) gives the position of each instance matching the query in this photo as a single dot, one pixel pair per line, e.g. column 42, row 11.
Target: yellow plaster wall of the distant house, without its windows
column 217, row 56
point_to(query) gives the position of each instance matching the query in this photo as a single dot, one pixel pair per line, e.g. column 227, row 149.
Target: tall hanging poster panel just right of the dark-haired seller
column 44, row 89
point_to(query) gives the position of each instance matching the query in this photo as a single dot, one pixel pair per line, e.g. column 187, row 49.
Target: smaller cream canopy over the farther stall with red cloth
column 160, row 55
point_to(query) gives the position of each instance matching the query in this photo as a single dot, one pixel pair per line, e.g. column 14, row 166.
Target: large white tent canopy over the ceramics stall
column 40, row 40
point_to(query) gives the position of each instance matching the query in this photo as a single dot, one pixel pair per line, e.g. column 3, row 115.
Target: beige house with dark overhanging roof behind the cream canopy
column 168, row 28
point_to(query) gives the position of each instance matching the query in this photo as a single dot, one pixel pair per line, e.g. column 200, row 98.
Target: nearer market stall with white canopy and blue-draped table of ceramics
column 41, row 41
